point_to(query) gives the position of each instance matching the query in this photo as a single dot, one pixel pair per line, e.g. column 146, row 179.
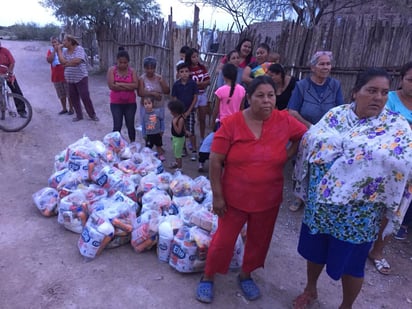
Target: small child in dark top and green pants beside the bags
column 178, row 131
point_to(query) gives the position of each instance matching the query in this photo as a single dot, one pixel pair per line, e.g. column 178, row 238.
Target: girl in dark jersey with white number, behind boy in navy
column 199, row 73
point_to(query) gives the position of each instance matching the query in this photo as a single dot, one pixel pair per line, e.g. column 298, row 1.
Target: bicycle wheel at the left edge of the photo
column 10, row 120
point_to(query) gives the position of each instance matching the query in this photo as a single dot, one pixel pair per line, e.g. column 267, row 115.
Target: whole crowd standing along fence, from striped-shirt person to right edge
column 352, row 162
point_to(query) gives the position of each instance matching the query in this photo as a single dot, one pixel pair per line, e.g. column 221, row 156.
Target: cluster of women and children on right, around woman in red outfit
column 352, row 169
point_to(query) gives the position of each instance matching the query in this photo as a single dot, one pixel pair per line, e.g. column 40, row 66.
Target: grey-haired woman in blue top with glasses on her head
column 314, row 96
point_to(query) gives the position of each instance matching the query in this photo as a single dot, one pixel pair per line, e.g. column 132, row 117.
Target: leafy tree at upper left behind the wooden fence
column 100, row 15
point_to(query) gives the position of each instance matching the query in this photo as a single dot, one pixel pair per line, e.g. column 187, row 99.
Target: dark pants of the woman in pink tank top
column 128, row 112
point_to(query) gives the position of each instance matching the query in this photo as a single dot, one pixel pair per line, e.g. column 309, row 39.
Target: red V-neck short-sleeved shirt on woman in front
column 252, row 179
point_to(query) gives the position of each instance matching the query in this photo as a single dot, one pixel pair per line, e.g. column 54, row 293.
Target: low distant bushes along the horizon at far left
column 32, row 31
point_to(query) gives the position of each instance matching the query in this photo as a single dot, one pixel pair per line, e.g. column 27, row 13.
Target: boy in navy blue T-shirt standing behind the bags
column 185, row 90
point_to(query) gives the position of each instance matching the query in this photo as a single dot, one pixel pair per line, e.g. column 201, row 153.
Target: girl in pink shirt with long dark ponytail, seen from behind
column 230, row 98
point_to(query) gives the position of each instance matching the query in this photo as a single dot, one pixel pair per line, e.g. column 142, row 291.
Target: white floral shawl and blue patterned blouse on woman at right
column 368, row 161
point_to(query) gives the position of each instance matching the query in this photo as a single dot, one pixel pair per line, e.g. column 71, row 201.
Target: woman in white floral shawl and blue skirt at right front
column 354, row 167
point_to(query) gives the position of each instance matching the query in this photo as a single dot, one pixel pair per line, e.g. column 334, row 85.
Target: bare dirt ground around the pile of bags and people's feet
column 40, row 265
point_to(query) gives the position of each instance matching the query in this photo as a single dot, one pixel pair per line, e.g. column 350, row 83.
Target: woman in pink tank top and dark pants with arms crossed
column 123, row 81
